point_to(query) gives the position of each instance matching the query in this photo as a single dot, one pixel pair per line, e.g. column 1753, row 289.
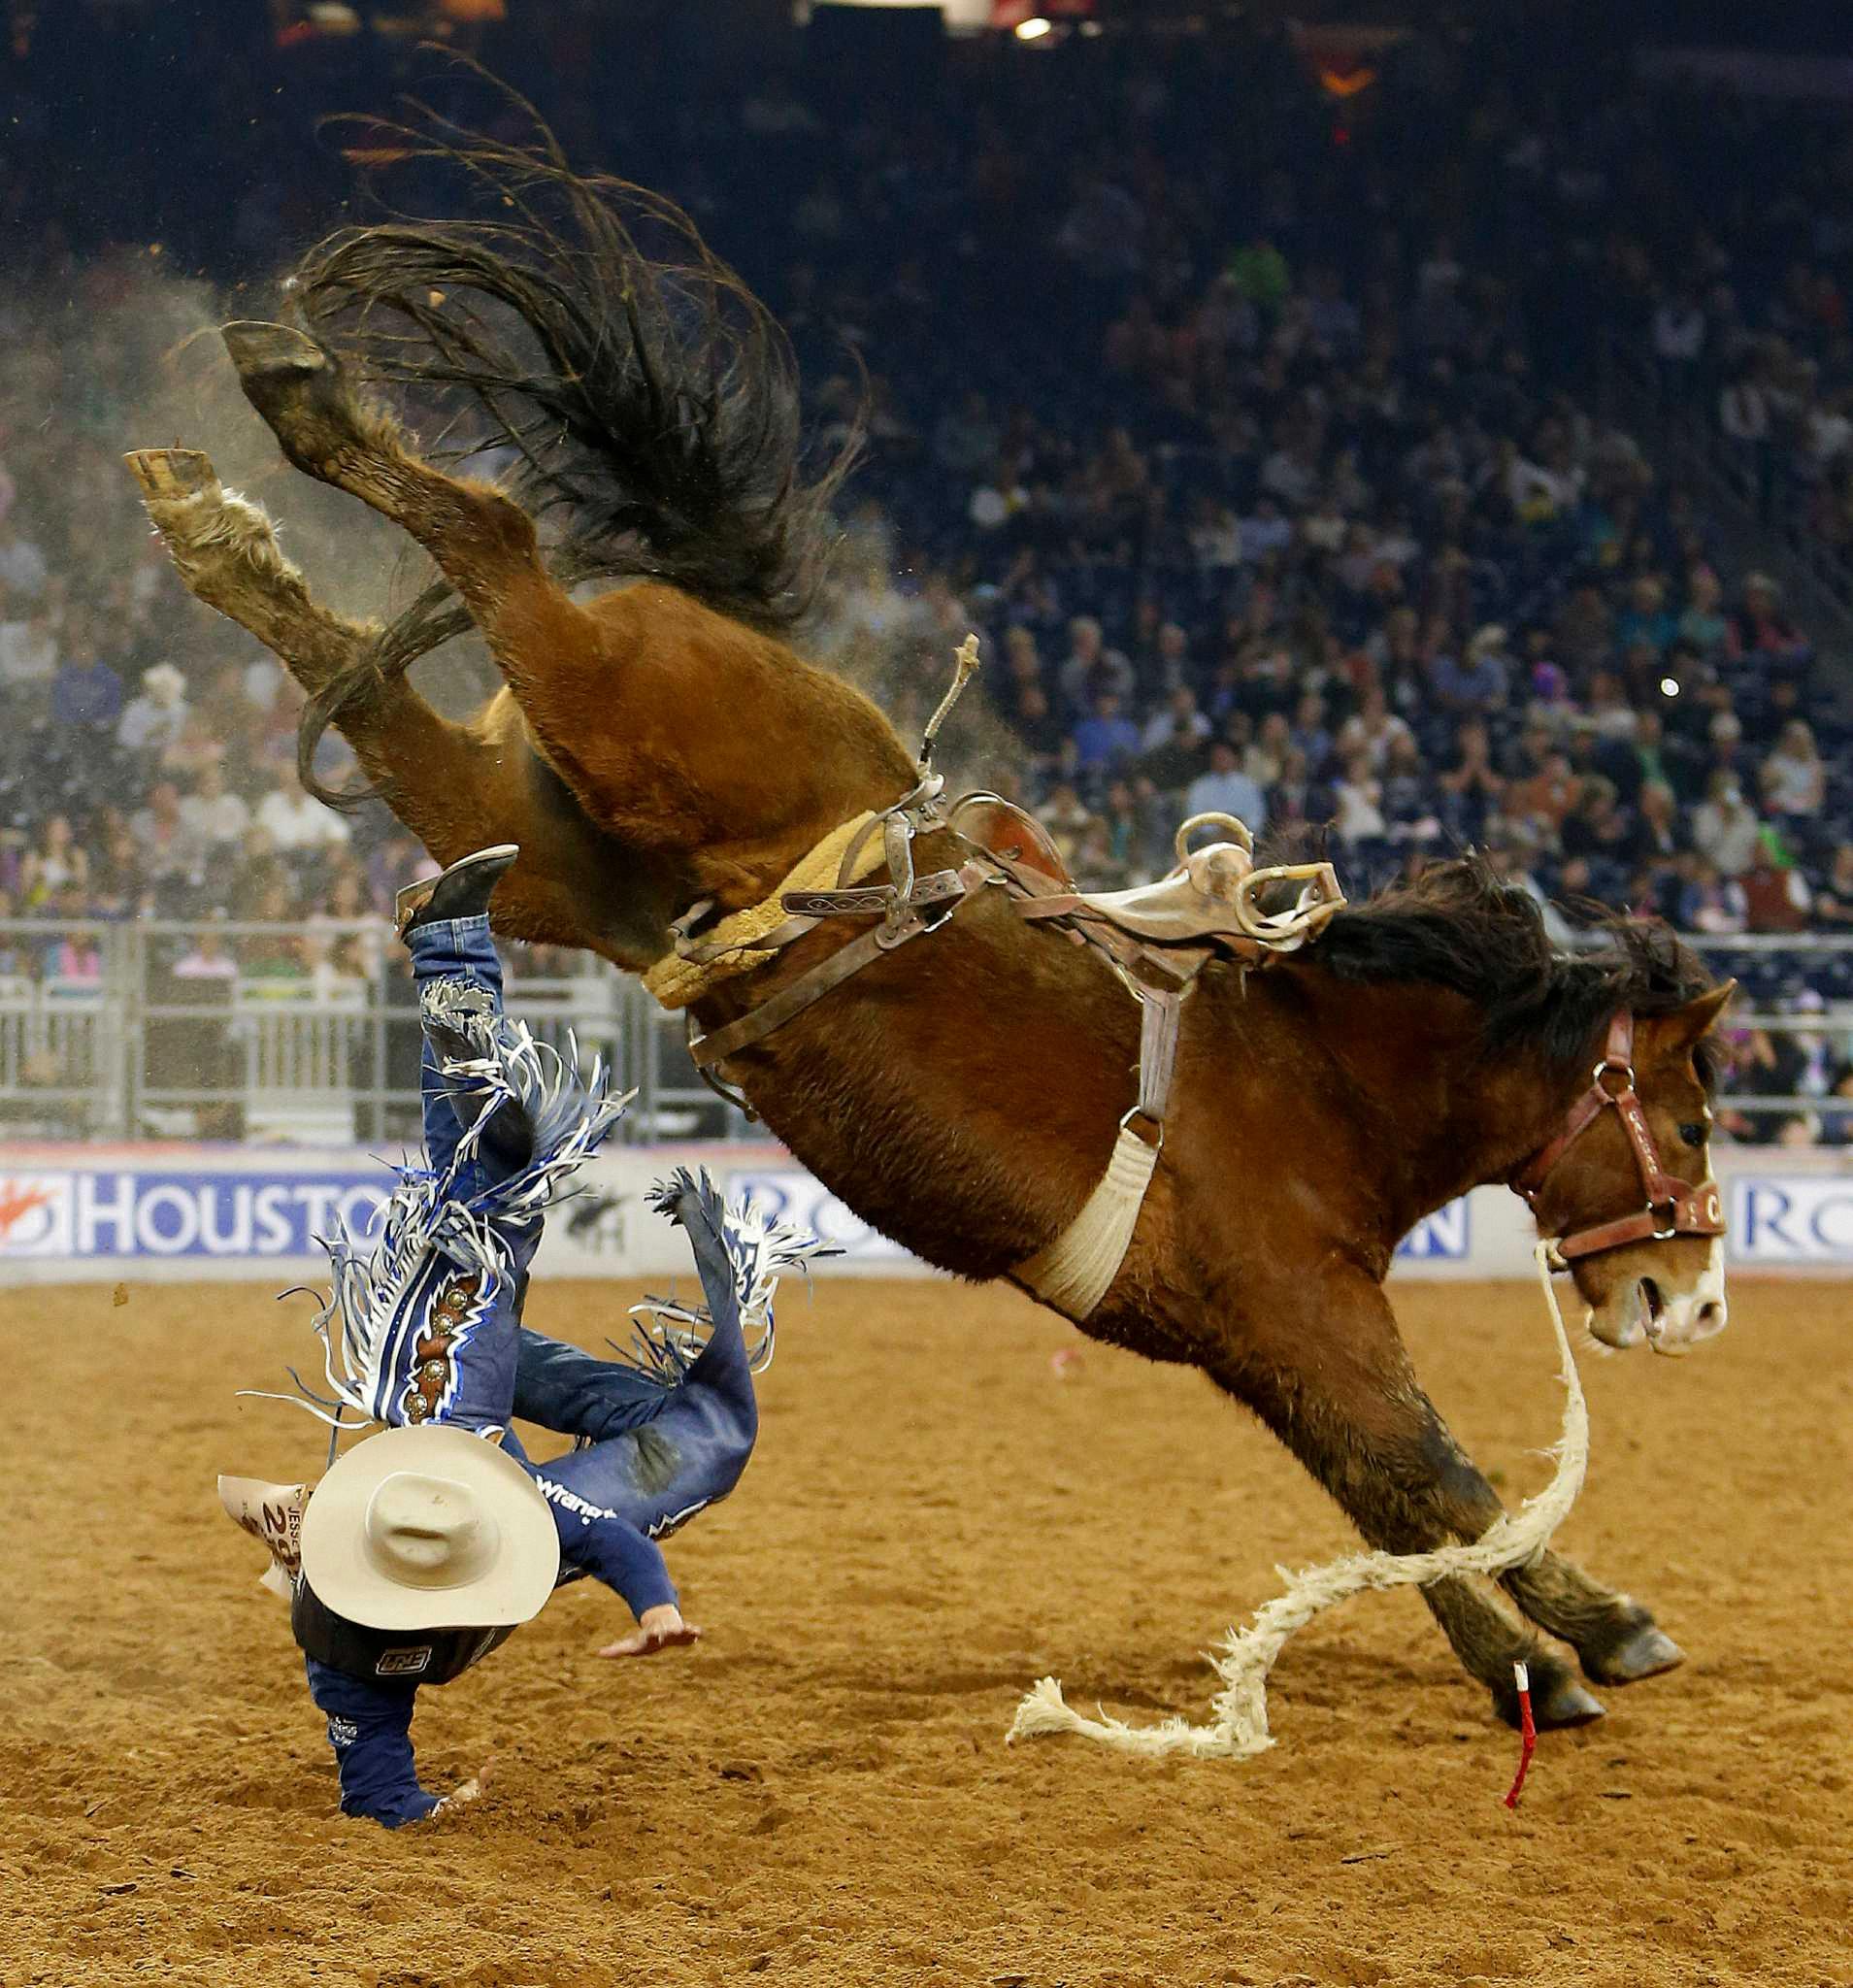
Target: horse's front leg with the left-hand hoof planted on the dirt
column 1325, row 1369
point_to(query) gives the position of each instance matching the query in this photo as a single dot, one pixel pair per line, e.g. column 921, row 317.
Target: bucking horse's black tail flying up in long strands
column 582, row 325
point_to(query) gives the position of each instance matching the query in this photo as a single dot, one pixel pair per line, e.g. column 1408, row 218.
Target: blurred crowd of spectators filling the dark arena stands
column 1267, row 492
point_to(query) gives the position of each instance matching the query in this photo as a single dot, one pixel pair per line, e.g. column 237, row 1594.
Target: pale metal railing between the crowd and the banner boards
column 279, row 1033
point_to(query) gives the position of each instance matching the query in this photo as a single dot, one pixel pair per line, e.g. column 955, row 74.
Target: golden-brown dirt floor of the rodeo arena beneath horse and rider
column 822, row 1792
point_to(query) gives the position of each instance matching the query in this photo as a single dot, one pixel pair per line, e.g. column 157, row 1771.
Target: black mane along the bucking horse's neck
column 1462, row 929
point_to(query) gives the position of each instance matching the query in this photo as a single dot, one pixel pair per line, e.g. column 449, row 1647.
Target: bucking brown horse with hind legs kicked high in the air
column 663, row 748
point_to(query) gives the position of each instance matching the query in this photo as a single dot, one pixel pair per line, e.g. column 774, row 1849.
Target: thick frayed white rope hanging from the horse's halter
column 1240, row 1725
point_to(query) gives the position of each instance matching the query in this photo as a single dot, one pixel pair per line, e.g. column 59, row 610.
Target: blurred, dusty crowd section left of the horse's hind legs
column 148, row 762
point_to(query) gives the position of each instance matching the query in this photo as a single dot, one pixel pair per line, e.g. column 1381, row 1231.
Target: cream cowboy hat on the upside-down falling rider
column 430, row 1530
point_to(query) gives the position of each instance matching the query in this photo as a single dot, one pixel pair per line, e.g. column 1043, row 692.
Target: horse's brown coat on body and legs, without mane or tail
column 963, row 1094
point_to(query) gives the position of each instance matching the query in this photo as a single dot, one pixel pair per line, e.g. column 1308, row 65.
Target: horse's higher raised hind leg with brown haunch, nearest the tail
column 657, row 647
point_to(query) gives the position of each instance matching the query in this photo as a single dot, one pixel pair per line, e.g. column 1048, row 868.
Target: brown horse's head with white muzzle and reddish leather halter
column 1627, row 1186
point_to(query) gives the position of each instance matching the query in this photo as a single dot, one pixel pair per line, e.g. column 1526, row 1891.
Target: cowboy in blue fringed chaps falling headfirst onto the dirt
column 428, row 1544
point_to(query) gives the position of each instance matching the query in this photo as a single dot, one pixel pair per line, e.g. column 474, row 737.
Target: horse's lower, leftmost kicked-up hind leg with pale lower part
column 454, row 786
